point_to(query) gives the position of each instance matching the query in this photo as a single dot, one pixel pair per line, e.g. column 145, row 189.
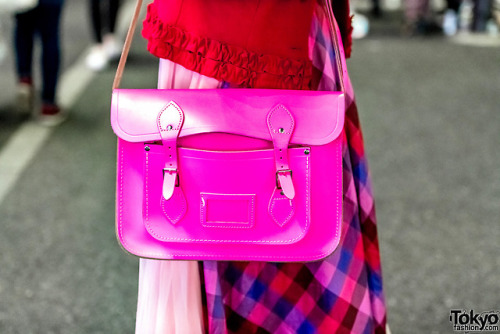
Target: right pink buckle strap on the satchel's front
column 281, row 124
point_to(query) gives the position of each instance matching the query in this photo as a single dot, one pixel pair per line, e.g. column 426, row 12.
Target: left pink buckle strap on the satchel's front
column 169, row 121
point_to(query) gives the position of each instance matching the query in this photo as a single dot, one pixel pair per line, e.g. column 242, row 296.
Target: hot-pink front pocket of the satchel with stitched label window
column 226, row 197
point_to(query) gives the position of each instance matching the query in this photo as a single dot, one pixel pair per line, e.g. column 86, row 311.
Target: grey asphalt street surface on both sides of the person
column 430, row 110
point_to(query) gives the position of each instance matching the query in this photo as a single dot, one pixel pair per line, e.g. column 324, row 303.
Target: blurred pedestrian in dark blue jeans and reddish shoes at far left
column 43, row 20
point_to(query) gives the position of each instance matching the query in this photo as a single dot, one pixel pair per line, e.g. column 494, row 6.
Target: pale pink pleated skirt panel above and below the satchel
column 169, row 300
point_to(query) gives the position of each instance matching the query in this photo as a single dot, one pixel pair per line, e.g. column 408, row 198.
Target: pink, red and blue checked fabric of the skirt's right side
column 341, row 294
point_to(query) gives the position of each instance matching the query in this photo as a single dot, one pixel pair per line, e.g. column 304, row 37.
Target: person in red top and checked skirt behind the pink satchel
column 341, row 293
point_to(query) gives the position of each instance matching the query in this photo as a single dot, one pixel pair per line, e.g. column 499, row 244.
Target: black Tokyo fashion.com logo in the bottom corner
column 470, row 321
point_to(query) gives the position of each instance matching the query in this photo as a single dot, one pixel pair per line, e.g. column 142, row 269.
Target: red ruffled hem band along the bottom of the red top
column 222, row 61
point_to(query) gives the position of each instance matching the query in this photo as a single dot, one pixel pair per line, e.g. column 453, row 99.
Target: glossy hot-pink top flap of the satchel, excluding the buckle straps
column 319, row 116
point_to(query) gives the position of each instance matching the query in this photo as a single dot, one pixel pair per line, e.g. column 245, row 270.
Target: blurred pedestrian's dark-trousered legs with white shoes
column 103, row 15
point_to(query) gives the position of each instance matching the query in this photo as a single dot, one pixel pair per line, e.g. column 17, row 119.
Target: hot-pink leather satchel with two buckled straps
column 228, row 174
